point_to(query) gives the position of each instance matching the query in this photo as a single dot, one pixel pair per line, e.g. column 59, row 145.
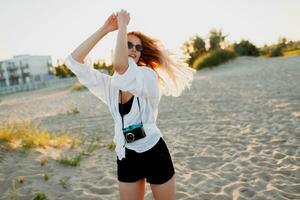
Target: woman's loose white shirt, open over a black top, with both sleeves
column 142, row 82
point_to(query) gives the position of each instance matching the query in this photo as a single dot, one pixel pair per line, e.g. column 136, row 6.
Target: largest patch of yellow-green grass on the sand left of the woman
column 26, row 136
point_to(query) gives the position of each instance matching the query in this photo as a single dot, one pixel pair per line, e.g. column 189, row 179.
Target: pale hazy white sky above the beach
column 57, row 27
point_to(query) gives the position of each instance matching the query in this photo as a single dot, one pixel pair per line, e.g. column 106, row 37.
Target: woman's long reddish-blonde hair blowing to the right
column 174, row 74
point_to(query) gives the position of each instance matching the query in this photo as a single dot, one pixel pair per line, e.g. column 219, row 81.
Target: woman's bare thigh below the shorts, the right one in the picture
column 165, row 191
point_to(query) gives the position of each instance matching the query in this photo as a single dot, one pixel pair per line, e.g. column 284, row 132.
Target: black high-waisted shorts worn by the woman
column 155, row 165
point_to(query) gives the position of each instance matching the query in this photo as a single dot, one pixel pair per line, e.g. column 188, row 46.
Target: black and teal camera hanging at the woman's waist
column 134, row 132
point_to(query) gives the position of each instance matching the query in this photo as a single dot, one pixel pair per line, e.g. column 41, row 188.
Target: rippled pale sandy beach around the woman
column 234, row 135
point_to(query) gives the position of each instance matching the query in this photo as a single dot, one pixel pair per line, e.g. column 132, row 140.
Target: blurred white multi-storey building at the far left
column 24, row 69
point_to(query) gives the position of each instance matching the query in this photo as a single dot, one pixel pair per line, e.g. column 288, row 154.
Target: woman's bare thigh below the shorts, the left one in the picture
column 132, row 191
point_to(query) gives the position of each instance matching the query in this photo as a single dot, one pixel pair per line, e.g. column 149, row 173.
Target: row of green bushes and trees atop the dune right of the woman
column 219, row 50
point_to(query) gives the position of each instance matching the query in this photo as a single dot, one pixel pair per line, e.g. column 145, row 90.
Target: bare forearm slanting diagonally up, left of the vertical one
column 84, row 48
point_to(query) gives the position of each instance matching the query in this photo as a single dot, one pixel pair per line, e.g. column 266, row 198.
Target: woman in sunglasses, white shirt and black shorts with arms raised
column 144, row 71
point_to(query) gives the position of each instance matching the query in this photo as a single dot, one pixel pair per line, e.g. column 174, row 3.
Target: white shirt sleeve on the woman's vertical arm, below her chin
column 140, row 81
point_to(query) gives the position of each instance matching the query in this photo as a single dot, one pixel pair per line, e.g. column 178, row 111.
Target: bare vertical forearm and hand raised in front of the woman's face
column 120, row 60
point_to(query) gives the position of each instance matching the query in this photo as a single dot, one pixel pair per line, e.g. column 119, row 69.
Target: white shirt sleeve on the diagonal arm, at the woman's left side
column 95, row 81
